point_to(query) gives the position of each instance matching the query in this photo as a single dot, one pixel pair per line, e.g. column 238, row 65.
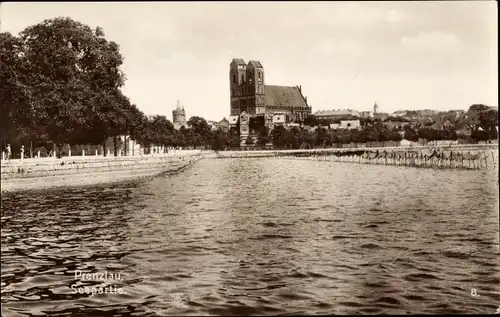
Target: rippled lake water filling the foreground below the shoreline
column 258, row 236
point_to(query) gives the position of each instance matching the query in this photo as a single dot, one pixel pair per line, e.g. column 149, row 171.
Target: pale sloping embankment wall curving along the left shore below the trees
column 44, row 173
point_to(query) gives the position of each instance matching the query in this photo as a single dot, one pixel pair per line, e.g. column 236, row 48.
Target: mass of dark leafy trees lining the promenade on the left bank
column 61, row 84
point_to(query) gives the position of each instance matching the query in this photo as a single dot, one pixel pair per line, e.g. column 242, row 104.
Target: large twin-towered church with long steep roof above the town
column 251, row 98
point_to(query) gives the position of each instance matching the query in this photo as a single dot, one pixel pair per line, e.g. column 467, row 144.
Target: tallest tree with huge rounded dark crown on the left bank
column 75, row 78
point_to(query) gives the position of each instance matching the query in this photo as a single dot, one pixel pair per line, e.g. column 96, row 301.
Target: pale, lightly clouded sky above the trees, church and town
column 345, row 55
